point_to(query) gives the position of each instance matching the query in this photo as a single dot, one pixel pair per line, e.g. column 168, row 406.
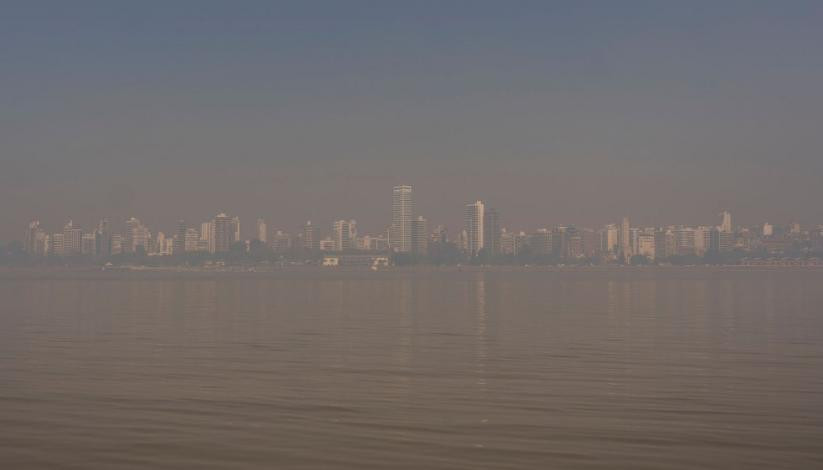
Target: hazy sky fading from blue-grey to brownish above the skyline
column 554, row 112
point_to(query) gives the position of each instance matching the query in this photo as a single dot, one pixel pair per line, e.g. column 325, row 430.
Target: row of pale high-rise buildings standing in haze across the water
column 481, row 237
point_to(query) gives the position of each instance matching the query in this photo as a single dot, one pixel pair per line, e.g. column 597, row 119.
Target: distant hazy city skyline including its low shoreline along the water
column 408, row 239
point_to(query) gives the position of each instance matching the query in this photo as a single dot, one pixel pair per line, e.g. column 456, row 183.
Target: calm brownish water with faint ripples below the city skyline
column 448, row 371
